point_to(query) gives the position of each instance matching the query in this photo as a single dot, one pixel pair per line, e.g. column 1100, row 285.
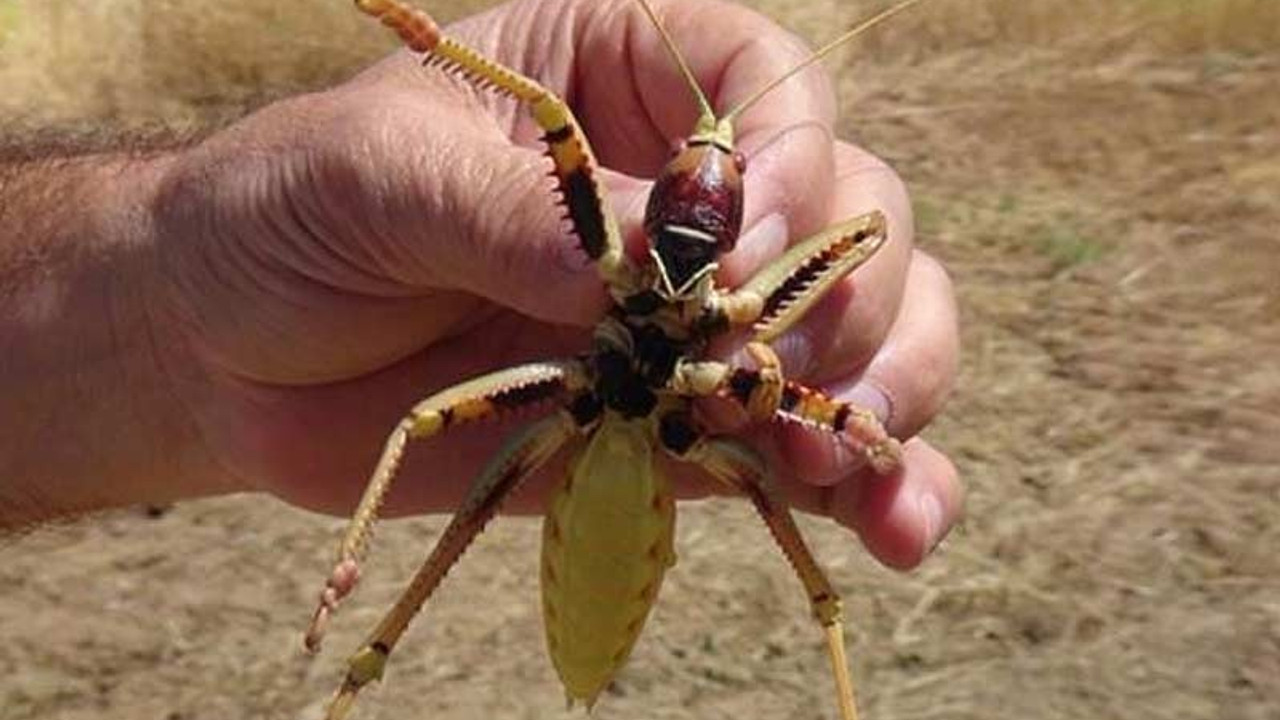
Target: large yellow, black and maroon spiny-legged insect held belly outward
column 607, row 537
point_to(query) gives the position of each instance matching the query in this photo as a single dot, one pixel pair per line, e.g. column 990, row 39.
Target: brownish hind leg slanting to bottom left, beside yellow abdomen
column 523, row 455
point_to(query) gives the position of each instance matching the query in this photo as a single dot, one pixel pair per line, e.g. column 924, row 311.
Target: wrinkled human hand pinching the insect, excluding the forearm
column 336, row 257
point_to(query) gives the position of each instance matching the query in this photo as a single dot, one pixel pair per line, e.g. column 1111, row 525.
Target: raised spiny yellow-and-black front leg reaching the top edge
column 582, row 195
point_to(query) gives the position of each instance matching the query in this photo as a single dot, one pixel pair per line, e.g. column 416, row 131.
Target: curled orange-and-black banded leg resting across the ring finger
column 764, row 394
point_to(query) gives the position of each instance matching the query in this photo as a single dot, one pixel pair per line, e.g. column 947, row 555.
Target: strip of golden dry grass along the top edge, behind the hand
column 131, row 61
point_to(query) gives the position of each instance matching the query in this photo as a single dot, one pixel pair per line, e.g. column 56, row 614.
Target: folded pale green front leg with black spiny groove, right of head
column 785, row 290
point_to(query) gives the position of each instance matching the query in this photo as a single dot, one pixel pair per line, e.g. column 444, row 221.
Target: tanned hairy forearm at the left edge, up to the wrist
column 86, row 416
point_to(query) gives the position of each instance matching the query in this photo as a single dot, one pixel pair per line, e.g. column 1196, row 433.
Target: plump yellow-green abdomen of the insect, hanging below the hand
column 607, row 543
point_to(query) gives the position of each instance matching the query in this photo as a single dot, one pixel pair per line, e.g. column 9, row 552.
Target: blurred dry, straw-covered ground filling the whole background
column 1104, row 181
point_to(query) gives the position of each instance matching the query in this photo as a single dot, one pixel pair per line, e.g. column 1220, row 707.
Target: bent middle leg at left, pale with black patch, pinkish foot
column 474, row 400
